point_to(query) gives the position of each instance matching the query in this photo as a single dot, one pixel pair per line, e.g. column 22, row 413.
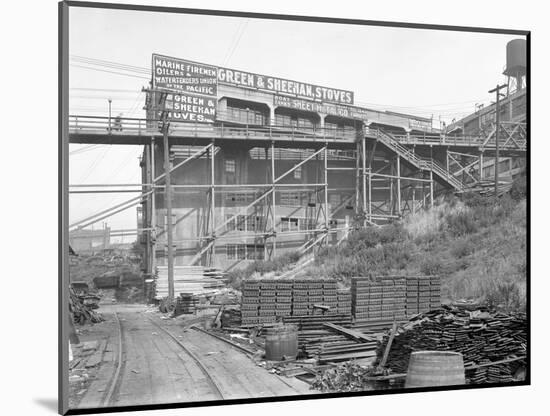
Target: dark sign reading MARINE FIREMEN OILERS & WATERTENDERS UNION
column 186, row 76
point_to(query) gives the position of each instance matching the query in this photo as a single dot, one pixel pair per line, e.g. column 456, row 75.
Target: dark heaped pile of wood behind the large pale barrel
column 480, row 336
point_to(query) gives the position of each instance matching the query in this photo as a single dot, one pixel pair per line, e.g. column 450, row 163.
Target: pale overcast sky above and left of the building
column 423, row 72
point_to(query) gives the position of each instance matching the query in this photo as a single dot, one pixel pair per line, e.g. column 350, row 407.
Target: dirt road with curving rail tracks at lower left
column 163, row 362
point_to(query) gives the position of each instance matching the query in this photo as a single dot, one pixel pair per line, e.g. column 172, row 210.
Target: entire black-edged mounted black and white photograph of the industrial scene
column 260, row 207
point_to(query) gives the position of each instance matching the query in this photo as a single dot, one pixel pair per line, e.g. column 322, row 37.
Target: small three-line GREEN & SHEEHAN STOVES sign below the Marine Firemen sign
column 190, row 108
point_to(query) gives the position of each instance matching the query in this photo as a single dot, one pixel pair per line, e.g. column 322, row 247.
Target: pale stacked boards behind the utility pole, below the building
column 188, row 279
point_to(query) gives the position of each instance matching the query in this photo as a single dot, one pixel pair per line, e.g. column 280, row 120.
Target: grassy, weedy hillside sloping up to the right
column 476, row 244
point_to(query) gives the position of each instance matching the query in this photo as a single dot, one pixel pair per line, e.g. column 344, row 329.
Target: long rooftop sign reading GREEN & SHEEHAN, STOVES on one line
column 284, row 86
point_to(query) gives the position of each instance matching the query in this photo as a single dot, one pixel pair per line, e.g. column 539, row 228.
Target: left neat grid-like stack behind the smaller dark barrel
column 267, row 301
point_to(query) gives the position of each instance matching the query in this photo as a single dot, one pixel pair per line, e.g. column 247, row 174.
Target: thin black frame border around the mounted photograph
column 63, row 153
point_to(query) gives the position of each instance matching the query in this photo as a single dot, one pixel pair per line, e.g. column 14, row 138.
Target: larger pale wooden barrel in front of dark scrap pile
column 435, row 368
